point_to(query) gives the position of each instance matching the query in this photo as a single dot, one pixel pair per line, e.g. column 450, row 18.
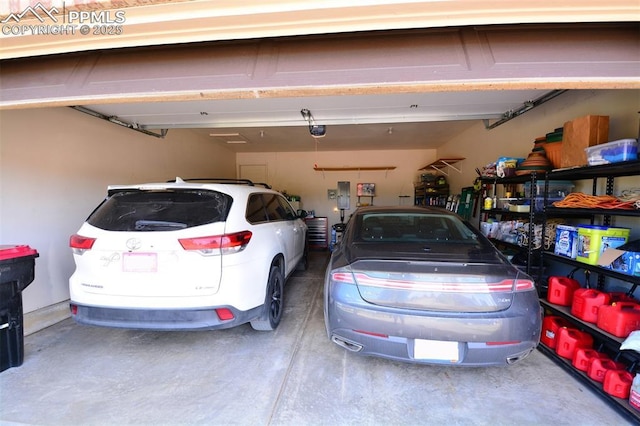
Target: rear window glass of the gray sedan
column 408, row 227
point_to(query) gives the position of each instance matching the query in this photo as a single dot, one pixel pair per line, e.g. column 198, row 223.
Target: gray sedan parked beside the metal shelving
column 422, row 285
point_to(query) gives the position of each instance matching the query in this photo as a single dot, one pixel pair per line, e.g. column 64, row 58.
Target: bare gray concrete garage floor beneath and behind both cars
column 85, row 375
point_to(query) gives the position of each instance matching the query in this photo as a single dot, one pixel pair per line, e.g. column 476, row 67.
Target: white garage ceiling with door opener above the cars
column 394, row 121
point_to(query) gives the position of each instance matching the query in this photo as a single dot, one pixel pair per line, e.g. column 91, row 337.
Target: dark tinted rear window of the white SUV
column 162, row 210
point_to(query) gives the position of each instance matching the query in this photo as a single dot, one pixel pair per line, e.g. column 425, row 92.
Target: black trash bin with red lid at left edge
column 16, row 273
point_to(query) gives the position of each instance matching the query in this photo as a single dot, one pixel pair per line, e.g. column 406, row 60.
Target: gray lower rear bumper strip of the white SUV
column 161, row 319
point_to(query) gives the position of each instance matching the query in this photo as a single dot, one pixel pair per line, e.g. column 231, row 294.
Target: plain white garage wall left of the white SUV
column 55, row 165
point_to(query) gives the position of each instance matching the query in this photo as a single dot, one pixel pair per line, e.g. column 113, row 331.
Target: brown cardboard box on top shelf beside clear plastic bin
column 582, row 133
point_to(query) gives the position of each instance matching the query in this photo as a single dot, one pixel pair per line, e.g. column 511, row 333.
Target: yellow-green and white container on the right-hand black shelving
column 594, row 239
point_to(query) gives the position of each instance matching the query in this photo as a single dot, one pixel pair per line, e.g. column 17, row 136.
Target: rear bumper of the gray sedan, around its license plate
column 483, row 339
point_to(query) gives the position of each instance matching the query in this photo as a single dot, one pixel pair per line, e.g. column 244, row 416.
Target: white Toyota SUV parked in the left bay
column 188, row 254
